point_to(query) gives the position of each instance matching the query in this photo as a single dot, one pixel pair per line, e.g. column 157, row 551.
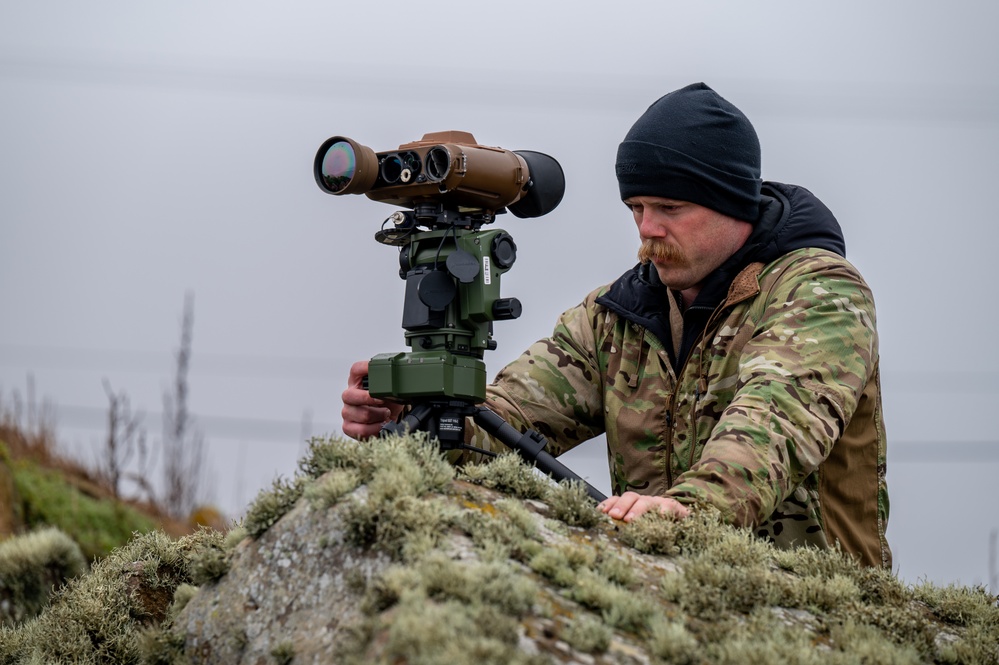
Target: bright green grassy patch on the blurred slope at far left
column 97, row 525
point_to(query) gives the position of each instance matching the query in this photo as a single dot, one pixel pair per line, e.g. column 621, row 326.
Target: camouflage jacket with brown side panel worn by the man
column 774, row 417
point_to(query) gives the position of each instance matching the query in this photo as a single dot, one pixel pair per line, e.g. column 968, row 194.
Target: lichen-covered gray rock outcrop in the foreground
column 381, row 553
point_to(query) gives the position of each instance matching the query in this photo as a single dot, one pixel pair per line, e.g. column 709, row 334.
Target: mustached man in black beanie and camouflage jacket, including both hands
column 736, row 365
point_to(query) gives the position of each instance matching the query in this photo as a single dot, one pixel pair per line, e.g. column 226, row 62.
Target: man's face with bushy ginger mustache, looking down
column 684, row 241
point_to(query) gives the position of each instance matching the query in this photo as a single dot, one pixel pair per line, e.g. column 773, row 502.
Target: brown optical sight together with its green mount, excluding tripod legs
column 452, row 267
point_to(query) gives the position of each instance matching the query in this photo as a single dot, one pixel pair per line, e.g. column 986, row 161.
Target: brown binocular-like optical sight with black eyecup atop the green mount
column 448, row 168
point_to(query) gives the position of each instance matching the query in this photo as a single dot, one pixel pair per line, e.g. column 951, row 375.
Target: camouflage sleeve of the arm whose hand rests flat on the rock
column 801, row 373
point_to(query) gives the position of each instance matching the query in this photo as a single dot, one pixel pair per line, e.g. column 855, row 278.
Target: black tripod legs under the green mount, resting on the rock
column 445, row 421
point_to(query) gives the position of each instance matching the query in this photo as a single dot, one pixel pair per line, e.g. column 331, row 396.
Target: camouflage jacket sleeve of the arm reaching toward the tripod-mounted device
column 554, row 387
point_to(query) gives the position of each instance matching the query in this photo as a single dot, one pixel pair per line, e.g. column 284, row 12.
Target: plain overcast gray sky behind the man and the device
column 150, row 151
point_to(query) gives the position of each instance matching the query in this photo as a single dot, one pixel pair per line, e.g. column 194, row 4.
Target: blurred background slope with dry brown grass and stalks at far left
column 58, row 515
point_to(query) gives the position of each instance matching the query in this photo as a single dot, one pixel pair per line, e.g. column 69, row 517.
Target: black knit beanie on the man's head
column 693, row 145
